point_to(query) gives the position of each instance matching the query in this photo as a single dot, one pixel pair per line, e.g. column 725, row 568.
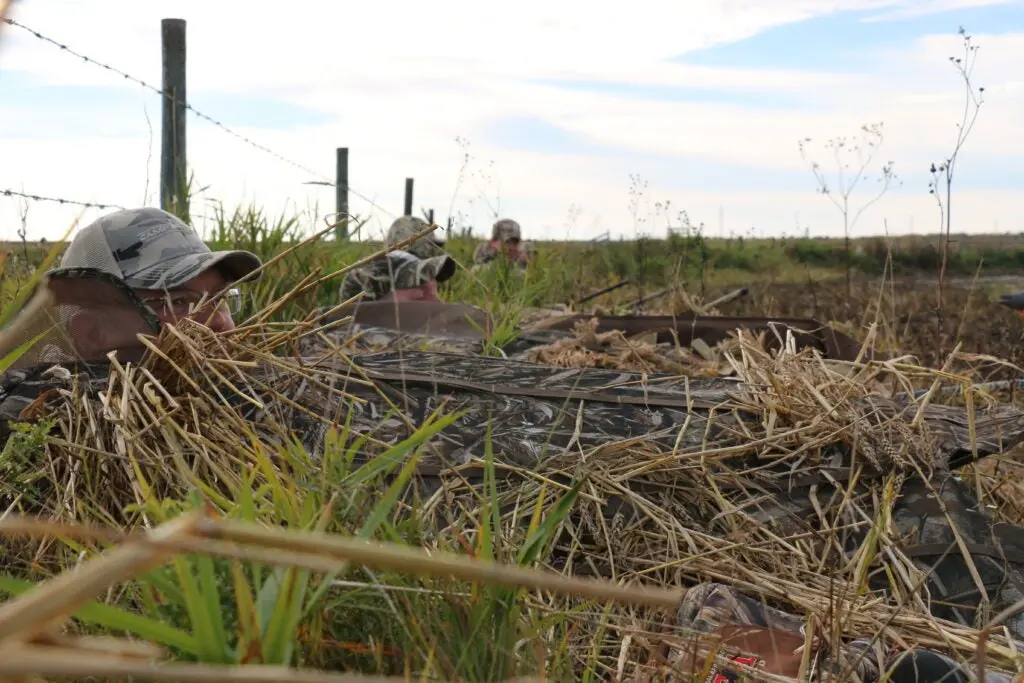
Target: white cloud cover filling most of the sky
column 403, row 80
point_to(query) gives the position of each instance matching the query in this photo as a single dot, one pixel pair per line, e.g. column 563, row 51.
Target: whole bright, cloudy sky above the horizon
column 575, row 120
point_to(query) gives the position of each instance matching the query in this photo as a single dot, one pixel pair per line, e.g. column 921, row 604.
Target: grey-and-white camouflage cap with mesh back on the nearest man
column 151, row 249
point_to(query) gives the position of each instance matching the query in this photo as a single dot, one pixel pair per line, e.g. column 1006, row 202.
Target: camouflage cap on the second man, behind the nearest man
column 396, row 271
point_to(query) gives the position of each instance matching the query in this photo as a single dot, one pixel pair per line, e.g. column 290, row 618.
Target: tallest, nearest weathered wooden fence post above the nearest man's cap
column 174, row 161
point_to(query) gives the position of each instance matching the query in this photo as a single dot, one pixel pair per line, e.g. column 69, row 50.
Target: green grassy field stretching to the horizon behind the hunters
column 895, row 278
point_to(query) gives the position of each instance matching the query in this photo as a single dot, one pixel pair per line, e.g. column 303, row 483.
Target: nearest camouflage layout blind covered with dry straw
column 804, row 483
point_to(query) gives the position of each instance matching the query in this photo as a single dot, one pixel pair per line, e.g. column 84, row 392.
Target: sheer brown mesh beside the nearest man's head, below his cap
column 90, row 315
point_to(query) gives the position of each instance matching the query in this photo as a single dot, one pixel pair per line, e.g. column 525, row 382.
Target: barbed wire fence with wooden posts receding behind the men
column 174, row 148
